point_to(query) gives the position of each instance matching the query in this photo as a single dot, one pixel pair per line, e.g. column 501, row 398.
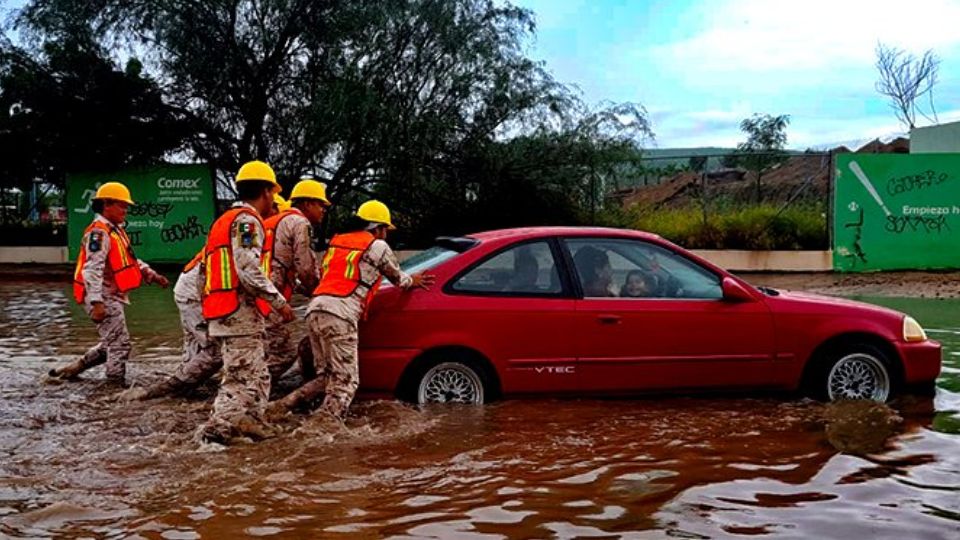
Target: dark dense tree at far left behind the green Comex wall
column 69, row 109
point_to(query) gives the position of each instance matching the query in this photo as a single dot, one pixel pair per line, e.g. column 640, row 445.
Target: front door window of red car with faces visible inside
column 626, row 268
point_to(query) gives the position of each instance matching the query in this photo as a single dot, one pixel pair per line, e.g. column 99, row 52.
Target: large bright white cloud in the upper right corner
column 764, row 35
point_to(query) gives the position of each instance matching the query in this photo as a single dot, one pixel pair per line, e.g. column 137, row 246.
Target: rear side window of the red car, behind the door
column 529, row 268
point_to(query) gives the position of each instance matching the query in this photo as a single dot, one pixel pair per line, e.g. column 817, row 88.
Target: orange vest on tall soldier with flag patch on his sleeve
column 221, row 295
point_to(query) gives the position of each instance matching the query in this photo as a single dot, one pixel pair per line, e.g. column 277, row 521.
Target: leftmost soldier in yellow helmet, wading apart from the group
column 106, row 270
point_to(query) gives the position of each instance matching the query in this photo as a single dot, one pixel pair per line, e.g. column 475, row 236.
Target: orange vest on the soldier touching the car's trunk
column 340, row 268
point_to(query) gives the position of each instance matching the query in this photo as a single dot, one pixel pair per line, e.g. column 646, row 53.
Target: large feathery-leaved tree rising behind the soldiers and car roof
column 403, row 99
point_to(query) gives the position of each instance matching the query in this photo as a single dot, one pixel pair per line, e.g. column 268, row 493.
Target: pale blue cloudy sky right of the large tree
column 699, row 67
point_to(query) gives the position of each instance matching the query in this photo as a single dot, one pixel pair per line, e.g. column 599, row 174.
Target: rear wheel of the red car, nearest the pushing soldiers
column 454, row 379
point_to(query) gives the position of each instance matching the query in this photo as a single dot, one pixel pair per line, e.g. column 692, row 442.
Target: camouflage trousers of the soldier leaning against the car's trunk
column 334, row 342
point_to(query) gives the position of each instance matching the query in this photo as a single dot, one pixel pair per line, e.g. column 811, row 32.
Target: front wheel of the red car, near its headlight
column 858, row 371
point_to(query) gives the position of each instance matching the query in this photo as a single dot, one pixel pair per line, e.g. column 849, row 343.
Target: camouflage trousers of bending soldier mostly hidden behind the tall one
column 201, row 353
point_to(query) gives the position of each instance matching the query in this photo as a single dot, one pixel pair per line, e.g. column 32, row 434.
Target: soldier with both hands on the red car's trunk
column 353, row 266
